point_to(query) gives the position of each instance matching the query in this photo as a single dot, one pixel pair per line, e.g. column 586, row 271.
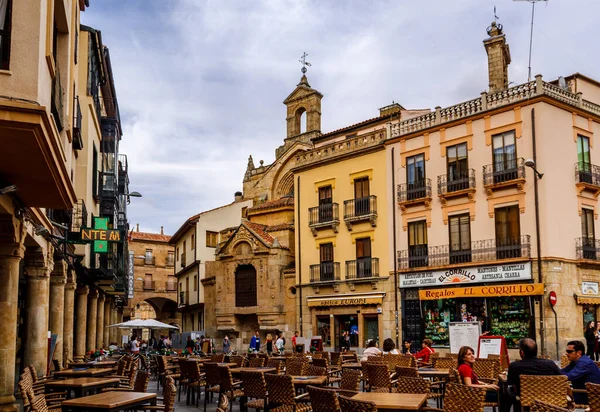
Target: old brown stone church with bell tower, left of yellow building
column 251, row 283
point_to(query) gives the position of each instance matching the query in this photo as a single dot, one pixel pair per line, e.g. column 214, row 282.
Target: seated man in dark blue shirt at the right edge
column 581, row 369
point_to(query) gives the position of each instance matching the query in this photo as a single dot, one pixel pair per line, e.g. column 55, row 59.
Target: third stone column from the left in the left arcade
column 58, row 279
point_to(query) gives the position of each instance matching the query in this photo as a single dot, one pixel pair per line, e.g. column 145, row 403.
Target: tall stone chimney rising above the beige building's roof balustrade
column 498, row 58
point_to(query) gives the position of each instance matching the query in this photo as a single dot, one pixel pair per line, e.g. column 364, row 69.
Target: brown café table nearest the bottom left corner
column 110, row 401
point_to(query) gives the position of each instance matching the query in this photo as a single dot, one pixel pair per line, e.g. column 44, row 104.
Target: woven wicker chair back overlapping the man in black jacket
column 549, row 389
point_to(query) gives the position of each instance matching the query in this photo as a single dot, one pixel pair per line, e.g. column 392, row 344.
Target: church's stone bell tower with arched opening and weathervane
column 303, row 100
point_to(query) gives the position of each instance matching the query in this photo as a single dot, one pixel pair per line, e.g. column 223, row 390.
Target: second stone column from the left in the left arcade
column 37, row 271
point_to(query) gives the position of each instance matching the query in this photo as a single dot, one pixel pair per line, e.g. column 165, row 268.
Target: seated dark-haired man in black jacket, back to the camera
column 529, row 364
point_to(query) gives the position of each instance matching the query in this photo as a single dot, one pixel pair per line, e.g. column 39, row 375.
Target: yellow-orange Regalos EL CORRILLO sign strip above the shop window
column 528, row 289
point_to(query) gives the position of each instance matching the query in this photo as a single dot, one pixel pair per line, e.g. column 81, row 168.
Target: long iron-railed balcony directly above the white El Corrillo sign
column 481, row 251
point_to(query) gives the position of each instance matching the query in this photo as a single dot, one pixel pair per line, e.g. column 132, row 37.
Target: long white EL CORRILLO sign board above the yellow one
column 483, row 274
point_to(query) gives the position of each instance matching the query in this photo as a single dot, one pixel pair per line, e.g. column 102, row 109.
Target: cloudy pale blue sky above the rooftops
column 200, row 83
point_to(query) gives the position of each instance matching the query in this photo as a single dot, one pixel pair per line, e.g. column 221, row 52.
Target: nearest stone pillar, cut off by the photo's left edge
column 11, row 253
